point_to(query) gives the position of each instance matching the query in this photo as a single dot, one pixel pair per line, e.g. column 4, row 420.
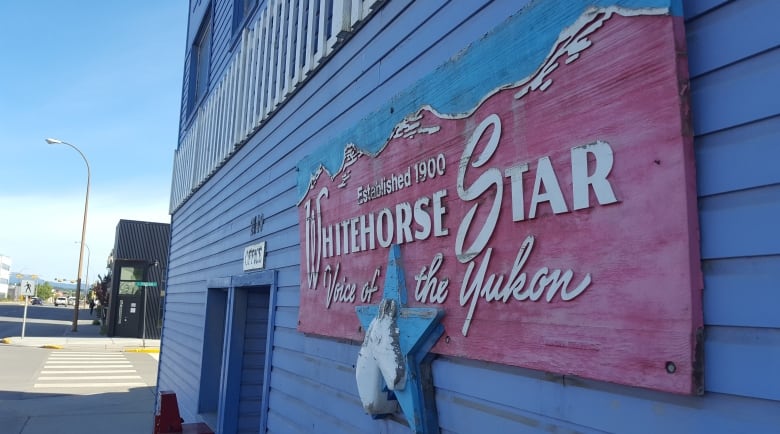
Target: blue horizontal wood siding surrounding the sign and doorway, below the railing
column 734, row 61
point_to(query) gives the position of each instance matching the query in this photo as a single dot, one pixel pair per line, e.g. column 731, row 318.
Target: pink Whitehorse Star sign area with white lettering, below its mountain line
column 555, row 222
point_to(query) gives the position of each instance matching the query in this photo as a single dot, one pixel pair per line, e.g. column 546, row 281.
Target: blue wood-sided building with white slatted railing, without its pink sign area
column 274, row 89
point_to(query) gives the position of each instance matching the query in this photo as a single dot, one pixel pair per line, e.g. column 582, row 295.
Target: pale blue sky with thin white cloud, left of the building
column 105, row 76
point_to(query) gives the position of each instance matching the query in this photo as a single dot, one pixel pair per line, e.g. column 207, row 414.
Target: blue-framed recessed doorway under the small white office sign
column 237, row 349
